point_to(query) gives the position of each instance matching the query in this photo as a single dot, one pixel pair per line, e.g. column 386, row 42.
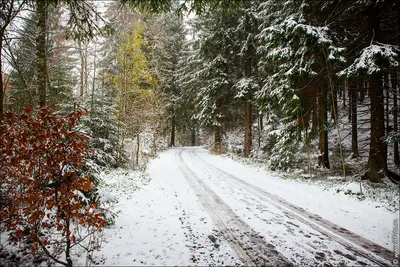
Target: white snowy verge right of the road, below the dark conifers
column 367, row 217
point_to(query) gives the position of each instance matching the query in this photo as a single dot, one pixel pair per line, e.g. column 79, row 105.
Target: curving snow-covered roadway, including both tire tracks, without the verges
column 264, row 229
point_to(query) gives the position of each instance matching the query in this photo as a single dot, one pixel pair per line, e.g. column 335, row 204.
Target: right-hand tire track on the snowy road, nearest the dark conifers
column 351, row 241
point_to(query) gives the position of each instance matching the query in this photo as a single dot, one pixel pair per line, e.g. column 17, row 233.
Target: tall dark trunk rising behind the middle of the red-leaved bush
column 41, row 64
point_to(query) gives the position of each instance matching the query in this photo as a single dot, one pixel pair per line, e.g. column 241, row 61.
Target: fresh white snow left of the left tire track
column 161, row 224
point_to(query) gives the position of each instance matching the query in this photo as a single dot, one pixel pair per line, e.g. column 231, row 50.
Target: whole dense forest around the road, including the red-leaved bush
column 293, row 84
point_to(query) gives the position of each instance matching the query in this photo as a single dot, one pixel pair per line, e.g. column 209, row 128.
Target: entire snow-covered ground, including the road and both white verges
column 194, row 208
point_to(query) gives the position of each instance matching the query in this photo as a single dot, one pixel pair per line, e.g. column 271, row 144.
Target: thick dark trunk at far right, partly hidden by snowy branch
column 378, row 150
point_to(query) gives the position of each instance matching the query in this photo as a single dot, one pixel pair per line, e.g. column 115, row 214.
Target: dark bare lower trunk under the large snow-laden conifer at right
column 323, row 132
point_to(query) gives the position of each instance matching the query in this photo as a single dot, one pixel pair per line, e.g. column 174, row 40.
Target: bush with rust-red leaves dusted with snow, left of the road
column 41, row 157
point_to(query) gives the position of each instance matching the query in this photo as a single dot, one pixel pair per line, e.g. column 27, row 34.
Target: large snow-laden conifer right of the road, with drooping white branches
column 297, row 54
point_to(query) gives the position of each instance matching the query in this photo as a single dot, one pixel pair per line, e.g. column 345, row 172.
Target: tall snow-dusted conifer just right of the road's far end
column 214, row 97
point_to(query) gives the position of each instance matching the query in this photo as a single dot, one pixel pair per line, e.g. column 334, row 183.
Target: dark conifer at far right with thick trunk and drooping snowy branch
column 374, row 57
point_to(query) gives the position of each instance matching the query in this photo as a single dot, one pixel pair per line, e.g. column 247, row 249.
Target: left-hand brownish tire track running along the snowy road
column 247, row 243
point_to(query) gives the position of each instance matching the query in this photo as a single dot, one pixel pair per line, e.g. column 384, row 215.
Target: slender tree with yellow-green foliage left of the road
column 137, row 100
